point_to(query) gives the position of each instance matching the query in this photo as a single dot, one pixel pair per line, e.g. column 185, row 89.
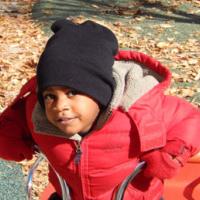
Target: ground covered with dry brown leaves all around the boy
column 22, row 40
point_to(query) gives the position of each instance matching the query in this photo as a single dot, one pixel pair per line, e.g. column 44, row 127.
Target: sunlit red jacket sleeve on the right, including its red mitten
column 182, row 122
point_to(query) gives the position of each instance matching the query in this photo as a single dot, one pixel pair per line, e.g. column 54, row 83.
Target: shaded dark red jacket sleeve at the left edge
column 15, row 140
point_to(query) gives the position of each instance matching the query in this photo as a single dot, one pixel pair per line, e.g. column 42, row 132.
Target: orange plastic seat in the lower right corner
column 186, row 185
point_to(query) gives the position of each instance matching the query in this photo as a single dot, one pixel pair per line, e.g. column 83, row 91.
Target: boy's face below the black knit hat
column 70, row 111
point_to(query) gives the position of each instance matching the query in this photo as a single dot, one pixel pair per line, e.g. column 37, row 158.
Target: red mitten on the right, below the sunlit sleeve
column 167, row 161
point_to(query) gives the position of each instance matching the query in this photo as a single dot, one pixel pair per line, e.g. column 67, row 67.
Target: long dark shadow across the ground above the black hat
column 53, row 9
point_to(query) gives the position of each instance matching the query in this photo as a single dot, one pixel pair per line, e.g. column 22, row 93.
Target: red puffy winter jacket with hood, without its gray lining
column 110, row 153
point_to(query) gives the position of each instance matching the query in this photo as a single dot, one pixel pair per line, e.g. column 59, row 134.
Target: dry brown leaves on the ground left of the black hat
column 21, row 44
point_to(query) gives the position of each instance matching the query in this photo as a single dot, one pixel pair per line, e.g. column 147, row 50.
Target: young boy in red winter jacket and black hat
column 96, row 113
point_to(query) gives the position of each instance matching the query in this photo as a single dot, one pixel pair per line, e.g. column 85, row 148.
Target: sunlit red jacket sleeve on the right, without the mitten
column 182, row 121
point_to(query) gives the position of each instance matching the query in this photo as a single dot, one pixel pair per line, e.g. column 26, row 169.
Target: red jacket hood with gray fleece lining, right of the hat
column 135, row 74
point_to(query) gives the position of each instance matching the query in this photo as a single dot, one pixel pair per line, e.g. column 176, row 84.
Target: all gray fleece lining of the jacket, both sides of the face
column 132, row 82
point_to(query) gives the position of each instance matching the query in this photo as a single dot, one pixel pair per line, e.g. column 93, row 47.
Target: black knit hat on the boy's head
column 79, row 57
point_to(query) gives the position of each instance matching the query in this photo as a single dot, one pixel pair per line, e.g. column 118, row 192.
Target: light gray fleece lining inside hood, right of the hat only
column 132, row 82
